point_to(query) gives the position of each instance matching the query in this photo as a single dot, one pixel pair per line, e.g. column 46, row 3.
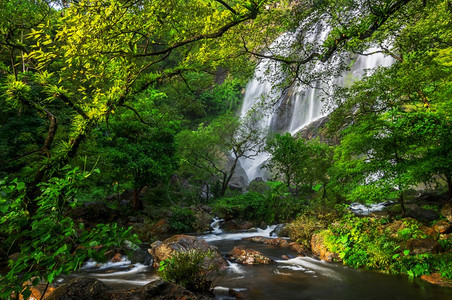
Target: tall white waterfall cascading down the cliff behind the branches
column 300, row 104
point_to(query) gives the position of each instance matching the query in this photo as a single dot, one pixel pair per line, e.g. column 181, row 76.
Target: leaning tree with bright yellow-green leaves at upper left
column 95, row 56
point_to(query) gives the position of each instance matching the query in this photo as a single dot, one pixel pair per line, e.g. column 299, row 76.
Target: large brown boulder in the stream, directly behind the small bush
column 182, row 243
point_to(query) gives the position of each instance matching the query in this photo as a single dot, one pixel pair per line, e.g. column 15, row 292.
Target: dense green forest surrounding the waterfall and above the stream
column 131, row 106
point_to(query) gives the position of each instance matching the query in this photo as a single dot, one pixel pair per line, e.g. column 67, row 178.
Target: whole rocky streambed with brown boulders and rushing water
column 255, row 265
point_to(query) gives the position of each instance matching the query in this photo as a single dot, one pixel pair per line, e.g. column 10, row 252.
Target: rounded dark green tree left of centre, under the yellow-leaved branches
column 140, row 150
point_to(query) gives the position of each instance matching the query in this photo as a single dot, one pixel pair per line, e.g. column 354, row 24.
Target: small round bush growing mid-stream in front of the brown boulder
column 188, row 268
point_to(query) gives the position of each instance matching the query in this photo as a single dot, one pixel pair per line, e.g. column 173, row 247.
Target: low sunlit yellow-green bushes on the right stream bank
column 366, row 243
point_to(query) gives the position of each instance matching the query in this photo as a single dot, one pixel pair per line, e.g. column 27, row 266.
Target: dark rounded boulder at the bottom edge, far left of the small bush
column 81, row 288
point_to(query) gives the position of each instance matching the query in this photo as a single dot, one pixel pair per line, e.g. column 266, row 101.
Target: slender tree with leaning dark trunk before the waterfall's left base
column 212, row 152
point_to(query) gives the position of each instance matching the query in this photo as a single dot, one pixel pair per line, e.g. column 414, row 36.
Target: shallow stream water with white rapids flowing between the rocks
column 296, row 278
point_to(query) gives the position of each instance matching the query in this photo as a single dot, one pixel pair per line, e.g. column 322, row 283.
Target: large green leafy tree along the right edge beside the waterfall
column 398, row 118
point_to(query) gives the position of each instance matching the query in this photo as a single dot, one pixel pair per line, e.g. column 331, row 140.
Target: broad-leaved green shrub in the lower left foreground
column 48, row 242
